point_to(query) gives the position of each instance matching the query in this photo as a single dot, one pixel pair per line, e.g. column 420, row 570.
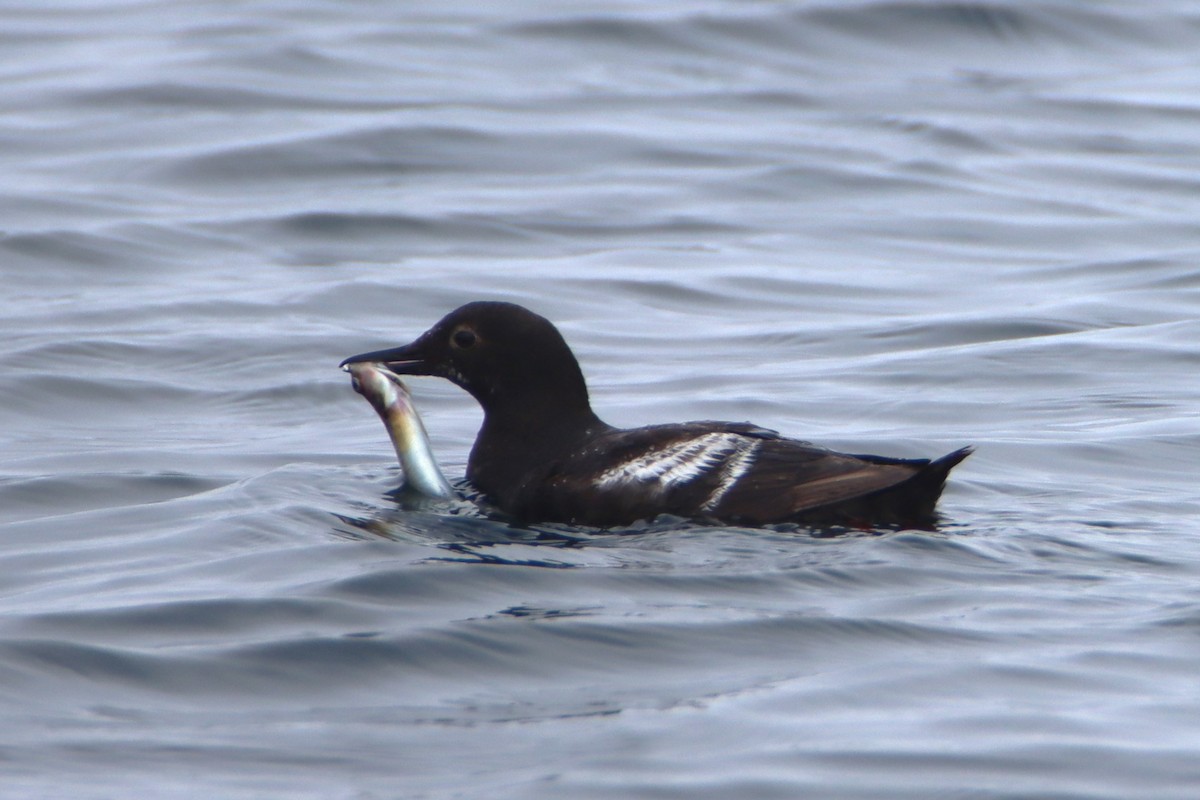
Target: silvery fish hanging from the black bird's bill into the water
column 389, row 396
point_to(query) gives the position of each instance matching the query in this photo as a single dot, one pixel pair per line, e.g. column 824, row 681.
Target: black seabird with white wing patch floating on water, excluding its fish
column 544, row 456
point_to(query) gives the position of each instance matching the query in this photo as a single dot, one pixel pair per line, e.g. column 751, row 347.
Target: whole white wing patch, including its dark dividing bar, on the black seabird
column 730, row 454
